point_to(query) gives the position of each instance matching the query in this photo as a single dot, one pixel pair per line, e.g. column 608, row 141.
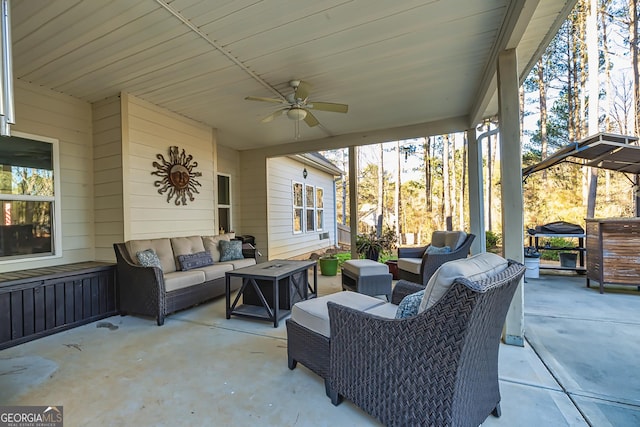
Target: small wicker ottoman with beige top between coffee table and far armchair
column 367, row 277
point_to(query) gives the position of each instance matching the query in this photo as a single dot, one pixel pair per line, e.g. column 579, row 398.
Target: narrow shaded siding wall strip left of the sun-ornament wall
column 107, row 156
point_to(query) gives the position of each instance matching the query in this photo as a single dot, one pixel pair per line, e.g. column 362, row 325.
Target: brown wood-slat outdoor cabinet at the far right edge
column 613, row 249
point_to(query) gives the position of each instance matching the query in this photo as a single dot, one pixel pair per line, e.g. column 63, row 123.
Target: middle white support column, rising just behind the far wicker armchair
column 476, row 193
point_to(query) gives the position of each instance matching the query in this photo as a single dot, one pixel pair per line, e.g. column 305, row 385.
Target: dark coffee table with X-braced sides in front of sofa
column 288, row 277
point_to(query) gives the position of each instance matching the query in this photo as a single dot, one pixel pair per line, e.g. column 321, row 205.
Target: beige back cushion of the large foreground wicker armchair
column 475, row 268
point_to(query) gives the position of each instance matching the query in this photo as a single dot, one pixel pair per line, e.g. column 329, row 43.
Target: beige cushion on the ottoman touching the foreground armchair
column 313, row 314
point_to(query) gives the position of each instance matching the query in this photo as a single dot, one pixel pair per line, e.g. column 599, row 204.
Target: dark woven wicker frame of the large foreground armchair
column 439, row 368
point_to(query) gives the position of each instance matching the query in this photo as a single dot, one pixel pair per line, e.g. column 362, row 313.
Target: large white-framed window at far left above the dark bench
column 29, row 198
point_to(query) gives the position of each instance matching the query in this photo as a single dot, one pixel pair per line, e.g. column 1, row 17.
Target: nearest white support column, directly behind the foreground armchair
column 511, row 180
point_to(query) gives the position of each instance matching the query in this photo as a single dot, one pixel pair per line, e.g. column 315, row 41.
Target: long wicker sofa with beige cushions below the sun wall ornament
column 159, row 291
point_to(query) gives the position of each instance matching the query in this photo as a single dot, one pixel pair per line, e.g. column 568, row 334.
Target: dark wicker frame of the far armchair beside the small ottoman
column 430, row 262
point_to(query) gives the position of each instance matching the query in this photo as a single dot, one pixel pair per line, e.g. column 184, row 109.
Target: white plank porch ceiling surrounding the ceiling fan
column 397, row 64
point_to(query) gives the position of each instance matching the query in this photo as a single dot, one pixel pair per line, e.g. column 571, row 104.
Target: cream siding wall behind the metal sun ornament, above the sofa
column 148, row 131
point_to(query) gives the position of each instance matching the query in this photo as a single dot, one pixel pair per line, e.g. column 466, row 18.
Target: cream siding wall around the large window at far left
column 50, row 114
